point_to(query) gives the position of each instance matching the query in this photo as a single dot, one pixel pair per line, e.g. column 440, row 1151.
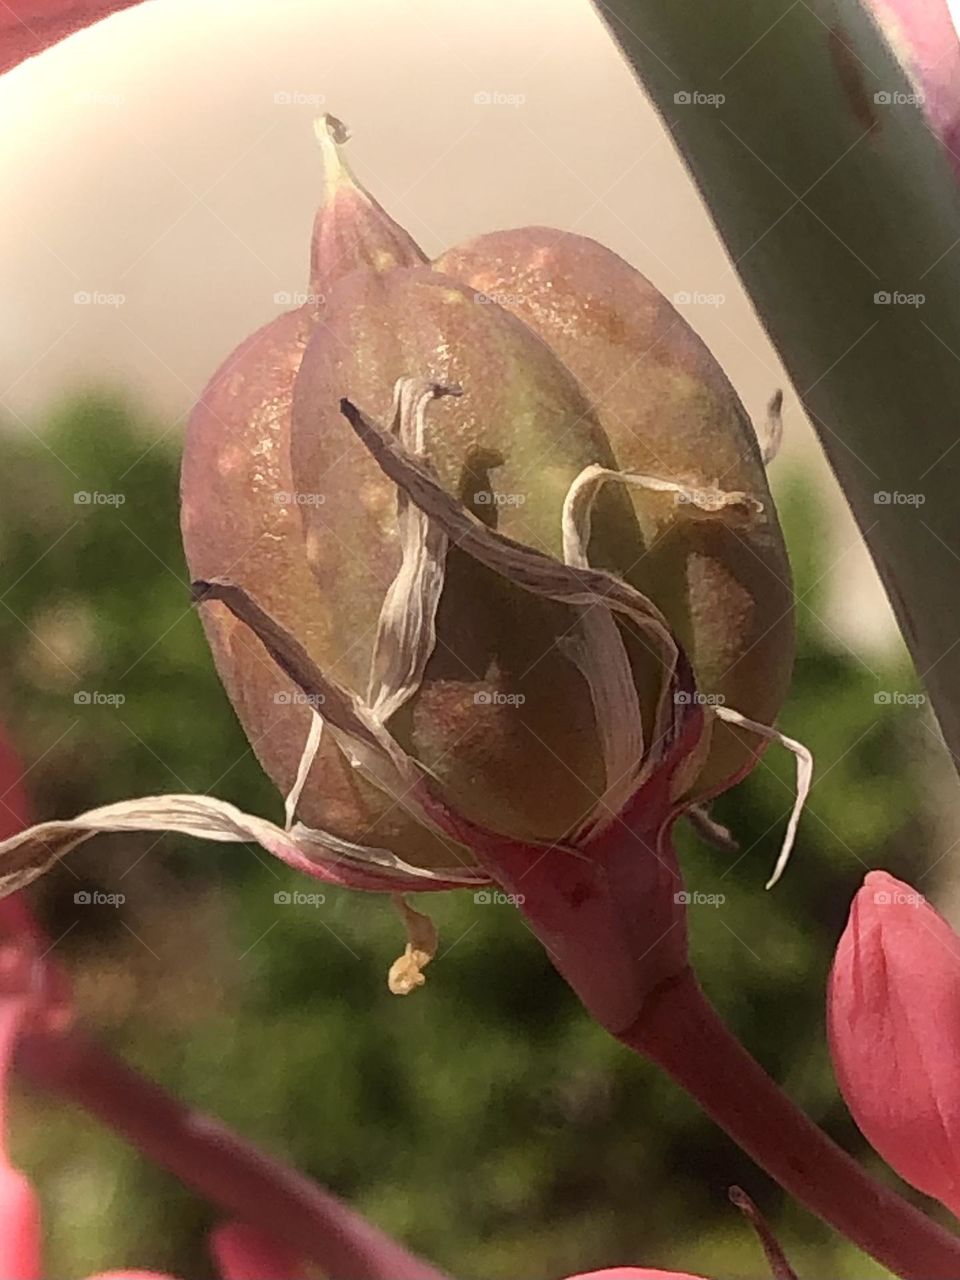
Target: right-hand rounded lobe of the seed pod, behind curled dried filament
column 721, row 577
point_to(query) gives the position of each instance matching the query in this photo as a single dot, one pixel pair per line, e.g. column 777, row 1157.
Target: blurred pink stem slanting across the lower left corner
column 231, row 1173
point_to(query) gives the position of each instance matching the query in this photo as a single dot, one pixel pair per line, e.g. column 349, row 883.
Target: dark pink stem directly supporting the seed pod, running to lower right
column 684, row 1035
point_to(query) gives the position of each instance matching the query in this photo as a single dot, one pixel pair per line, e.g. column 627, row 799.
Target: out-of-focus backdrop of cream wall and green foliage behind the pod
column 166, row 162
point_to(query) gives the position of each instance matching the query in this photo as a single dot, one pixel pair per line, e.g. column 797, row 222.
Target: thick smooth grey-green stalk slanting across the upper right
column 826, row 198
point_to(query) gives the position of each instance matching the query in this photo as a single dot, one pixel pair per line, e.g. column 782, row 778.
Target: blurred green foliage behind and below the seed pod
column 484, row 1121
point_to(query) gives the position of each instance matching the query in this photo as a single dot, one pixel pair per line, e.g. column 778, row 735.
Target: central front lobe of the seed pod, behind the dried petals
column 501, row 717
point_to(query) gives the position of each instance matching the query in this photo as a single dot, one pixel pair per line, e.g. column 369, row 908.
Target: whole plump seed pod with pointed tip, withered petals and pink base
column 491, row 572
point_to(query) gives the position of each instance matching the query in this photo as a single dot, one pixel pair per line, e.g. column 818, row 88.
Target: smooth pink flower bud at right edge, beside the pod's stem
column 894, row 1022
